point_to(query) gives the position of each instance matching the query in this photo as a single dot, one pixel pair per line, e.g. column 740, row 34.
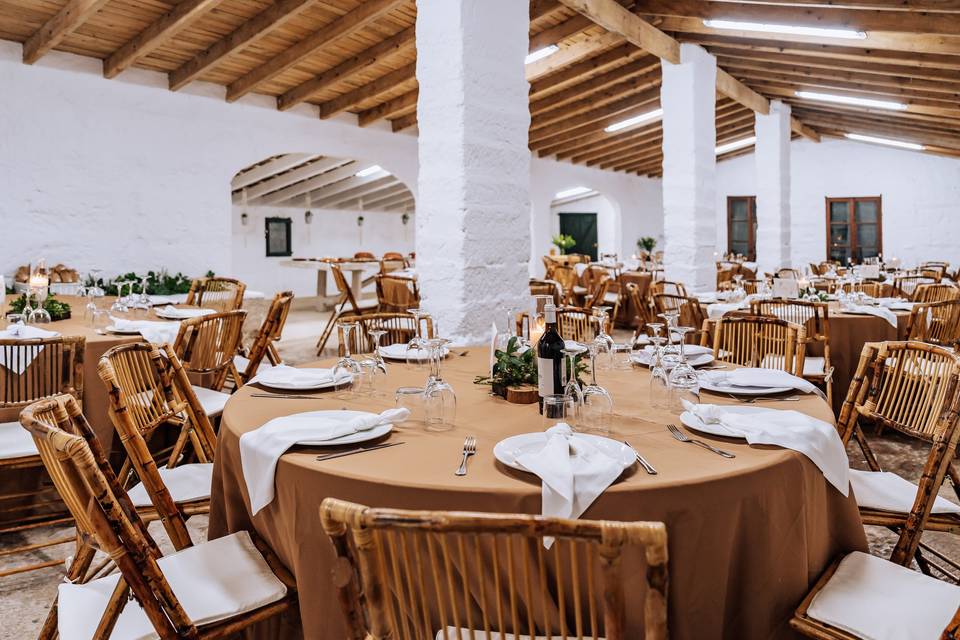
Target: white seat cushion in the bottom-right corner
column 878, row 600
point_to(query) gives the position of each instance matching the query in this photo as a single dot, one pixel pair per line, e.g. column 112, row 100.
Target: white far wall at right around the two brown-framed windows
column 920, row 191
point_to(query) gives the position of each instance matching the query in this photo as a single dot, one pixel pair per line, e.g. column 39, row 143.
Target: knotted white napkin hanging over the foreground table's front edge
column 574, row 473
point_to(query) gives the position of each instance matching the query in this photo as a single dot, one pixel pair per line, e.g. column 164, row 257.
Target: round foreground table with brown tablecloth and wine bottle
column 747, row 537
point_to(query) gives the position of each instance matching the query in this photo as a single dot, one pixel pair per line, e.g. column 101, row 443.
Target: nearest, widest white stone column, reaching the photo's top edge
column 473, row 210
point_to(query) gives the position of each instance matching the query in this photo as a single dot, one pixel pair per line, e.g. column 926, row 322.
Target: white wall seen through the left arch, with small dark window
column 331, row 233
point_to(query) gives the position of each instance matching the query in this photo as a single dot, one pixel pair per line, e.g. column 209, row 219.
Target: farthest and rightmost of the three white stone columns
column 772, row 156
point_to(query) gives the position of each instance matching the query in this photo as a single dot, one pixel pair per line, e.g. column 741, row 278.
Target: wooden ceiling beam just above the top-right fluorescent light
column 856, row 19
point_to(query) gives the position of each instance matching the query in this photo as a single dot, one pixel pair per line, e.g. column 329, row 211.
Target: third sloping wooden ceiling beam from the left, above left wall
column 274, row 16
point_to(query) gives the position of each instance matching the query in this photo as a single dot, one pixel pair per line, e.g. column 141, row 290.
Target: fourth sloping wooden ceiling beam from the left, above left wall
column 345, row 25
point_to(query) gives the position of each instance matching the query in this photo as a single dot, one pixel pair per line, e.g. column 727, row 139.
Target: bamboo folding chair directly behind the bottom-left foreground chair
column 150, row 393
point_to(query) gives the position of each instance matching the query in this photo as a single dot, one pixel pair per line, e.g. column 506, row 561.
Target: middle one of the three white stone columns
column 688, row 97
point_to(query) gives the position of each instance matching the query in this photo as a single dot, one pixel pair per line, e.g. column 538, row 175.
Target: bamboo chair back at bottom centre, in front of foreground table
column 414, row 572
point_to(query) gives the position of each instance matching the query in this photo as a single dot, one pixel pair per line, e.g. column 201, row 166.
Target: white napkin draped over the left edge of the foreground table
column 260, row 449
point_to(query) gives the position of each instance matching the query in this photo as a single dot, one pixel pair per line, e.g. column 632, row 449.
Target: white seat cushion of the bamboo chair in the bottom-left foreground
column 213, row 581
